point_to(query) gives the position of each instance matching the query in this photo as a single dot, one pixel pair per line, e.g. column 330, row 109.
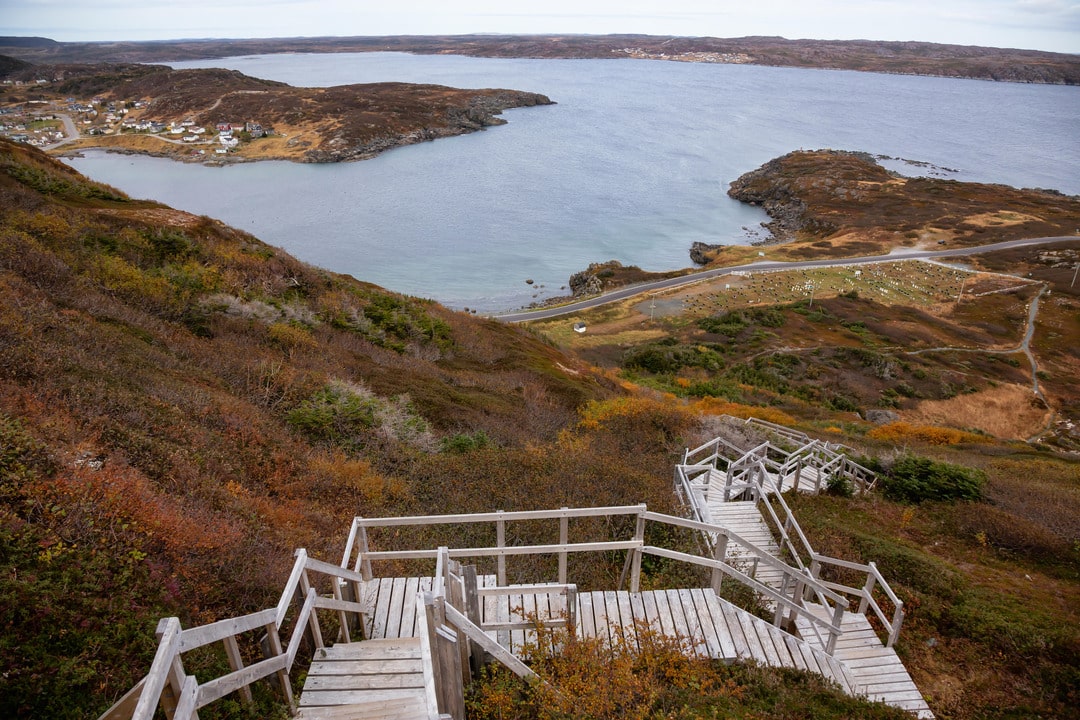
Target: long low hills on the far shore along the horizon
column 863, row 56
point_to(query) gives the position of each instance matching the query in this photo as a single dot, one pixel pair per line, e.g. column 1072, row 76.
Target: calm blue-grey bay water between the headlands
column 632, row 165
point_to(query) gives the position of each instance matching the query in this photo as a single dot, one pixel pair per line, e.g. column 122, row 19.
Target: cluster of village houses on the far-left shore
column 50, row 124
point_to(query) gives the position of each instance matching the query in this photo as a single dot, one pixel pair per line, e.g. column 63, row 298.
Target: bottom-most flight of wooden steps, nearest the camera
column 373, row 680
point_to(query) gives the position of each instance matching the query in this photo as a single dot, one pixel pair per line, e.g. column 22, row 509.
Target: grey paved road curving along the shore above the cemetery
column 764, row 266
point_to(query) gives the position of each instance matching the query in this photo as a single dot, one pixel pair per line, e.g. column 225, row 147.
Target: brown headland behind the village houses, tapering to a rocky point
column 307, row 125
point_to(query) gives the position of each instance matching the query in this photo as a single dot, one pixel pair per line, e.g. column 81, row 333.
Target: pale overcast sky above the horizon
column 1031, row 24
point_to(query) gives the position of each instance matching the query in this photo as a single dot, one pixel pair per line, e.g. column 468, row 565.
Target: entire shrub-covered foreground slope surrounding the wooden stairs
column 182, row 406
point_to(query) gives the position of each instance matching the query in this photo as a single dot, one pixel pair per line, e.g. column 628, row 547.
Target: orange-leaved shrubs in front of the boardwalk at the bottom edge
column 642, row 674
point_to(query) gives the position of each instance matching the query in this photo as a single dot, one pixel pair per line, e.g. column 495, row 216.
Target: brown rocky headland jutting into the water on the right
column 835, row 203
